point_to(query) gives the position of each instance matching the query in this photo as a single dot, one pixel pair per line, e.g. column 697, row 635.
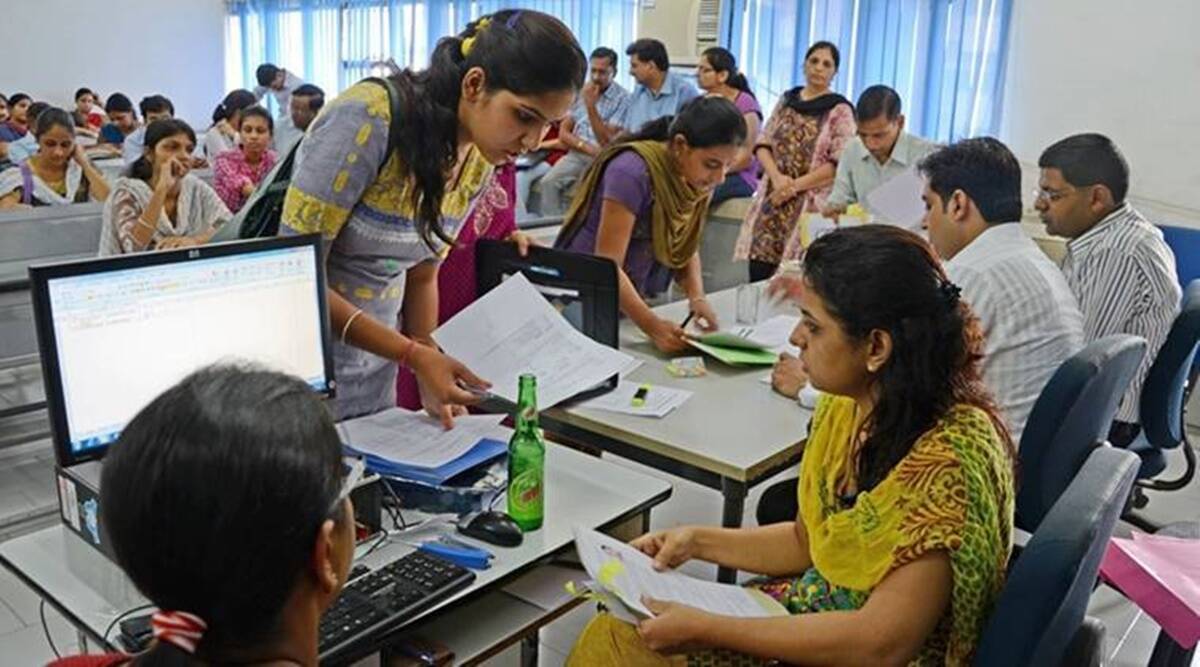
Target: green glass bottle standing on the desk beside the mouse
column 527, row 460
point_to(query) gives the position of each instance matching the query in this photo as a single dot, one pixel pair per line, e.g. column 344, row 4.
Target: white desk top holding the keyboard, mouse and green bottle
column 91, row 592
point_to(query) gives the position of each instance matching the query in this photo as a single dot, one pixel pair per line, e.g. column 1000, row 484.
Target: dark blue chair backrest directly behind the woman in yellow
column 1046, row 598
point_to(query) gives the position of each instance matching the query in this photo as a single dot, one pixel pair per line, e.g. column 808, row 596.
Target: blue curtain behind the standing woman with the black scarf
column 946, row 58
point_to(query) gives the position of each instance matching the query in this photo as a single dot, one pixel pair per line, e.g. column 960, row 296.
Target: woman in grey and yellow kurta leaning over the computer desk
column 487, row 98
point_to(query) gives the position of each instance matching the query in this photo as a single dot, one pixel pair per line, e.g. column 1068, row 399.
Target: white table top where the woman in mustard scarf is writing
column 734, row 425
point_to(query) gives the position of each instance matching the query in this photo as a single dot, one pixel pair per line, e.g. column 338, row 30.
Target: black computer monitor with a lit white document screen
column 116, row 333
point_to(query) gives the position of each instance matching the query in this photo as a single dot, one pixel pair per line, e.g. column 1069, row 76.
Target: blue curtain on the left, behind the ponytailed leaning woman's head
column 334, row 44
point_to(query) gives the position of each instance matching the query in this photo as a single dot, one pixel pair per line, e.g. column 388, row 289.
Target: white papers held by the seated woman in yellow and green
column 629, row 575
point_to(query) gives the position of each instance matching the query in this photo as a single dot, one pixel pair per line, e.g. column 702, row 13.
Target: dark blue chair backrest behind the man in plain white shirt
column 1071, row 418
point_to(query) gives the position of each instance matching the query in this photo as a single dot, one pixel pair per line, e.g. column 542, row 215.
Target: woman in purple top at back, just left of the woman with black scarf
column 718, row 75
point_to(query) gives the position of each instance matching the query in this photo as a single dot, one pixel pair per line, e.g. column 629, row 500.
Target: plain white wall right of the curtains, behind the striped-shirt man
column 1129, row 70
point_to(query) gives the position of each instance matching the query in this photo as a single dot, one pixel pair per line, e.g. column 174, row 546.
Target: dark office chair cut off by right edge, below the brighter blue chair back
column 1163, row 408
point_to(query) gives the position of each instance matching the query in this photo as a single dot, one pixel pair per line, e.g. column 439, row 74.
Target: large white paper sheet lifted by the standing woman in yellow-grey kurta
column 514, row 331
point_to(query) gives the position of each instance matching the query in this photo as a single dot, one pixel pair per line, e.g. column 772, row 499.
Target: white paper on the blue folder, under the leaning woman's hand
column 416, row 438
